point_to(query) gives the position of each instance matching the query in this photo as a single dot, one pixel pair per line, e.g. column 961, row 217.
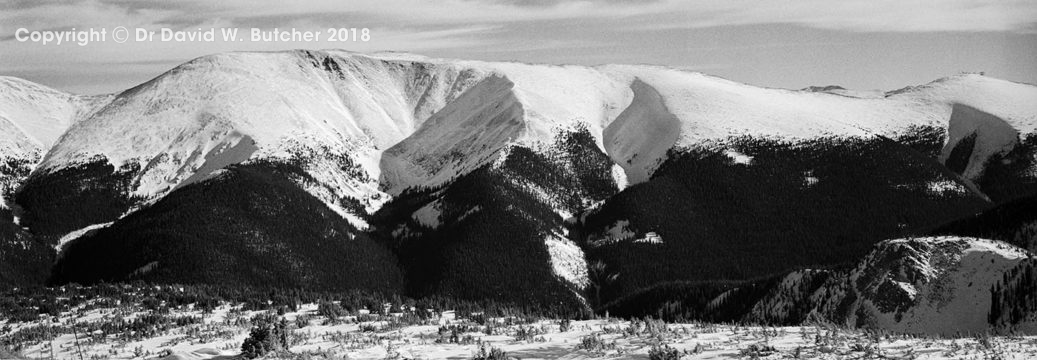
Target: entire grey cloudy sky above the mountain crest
column 855, row 44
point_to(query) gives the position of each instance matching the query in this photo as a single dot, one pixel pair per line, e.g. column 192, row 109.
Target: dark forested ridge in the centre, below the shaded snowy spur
column 494, row 223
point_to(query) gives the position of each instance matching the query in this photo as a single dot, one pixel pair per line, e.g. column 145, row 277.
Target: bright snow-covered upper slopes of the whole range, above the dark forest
column 212, row 112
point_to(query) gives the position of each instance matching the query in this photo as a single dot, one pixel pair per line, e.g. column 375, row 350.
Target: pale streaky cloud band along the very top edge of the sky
column 914, row 16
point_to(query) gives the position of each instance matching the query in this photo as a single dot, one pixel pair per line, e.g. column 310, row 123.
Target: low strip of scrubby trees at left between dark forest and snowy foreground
column 27, row 304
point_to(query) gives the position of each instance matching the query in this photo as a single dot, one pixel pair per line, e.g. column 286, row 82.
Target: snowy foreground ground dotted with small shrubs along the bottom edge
column 192, row 335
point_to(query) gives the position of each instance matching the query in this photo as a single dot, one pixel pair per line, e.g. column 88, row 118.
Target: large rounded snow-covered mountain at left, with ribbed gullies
column 334, row 113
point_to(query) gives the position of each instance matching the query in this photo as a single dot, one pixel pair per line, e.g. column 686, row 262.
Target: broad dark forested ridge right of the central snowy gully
column 817, row 204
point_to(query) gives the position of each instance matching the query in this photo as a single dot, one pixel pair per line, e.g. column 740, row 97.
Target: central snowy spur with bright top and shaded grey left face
column 517, row 104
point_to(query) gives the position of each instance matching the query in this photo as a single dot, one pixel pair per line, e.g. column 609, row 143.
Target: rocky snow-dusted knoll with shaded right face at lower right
column 933, row 286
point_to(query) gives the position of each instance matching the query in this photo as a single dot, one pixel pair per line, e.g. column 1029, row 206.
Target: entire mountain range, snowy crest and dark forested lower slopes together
column 565, row 188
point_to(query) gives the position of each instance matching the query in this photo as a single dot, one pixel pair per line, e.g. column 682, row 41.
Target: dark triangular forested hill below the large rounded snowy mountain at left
column 248, row 226
